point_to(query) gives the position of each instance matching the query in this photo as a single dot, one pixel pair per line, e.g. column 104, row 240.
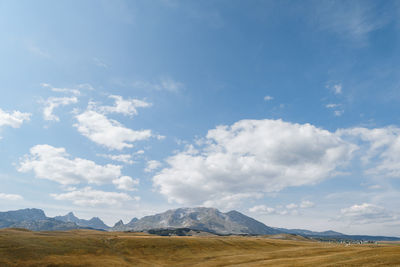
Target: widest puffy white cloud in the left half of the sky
column 48, row 162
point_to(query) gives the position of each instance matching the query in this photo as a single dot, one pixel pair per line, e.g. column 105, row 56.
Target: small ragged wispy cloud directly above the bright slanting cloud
column 124, row 106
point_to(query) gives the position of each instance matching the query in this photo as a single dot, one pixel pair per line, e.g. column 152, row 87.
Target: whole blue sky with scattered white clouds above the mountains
column 287, row 111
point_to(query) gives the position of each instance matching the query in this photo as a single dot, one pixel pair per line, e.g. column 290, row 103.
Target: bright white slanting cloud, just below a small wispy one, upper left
column 109, row 133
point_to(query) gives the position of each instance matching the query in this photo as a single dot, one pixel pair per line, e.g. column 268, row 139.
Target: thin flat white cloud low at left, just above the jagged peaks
column 91, row 197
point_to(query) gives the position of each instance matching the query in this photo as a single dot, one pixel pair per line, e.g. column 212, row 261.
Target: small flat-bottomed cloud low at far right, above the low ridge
column 367, row 213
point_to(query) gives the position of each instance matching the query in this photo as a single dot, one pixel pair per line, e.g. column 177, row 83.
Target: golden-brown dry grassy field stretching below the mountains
column 95, row 248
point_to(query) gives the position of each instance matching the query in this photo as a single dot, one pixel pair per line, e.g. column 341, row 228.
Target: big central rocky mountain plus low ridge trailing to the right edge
column 233, row 222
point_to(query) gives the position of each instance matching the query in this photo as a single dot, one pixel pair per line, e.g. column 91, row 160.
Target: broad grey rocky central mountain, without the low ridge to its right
column 203, row 219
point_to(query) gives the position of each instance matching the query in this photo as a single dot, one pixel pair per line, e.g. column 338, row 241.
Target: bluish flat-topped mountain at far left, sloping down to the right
column 33, row 219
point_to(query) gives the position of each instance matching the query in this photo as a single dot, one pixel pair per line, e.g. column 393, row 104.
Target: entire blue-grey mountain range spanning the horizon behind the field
column 203, row 219
